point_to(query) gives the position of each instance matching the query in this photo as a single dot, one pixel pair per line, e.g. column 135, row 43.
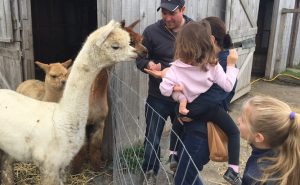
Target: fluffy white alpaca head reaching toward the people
column 109, row 45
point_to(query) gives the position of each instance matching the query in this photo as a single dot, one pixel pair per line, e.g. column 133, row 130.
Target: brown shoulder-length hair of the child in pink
column 194, row 45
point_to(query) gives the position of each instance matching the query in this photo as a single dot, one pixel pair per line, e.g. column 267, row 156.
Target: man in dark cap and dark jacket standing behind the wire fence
column 159, row 39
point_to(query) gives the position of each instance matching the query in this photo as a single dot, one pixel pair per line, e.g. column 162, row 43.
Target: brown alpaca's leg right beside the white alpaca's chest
column 79, row 160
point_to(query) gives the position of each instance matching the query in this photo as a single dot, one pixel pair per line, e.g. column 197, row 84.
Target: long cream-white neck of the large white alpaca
column 74, row 101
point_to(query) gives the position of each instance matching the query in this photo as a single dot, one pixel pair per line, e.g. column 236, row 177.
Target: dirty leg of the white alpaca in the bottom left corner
column 7, row 176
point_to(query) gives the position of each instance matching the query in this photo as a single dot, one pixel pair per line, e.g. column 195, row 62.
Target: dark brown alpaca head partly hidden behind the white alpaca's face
column 136, row 39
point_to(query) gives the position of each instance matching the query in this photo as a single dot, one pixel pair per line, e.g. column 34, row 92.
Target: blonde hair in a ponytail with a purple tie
column 280, row 127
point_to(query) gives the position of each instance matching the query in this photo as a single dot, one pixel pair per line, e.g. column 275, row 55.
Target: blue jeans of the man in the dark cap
column 156, row 112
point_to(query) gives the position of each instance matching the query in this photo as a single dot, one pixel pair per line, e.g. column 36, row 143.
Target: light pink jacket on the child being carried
column 196, row 81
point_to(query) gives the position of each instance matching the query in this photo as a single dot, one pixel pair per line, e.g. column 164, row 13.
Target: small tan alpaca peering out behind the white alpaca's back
column 51, row 89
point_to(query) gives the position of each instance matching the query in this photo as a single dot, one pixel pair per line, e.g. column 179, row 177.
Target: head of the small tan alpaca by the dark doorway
column 56, row 74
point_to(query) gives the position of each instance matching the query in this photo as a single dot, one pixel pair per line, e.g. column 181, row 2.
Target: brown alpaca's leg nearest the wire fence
column 95, row 146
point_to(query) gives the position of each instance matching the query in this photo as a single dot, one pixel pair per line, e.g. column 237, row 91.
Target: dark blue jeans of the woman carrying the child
column 195, row 147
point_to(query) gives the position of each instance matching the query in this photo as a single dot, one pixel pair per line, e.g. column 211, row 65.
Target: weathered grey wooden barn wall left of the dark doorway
column 16, row 58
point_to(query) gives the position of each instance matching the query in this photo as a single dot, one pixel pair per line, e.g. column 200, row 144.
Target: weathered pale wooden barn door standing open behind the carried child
column 241, row 22
